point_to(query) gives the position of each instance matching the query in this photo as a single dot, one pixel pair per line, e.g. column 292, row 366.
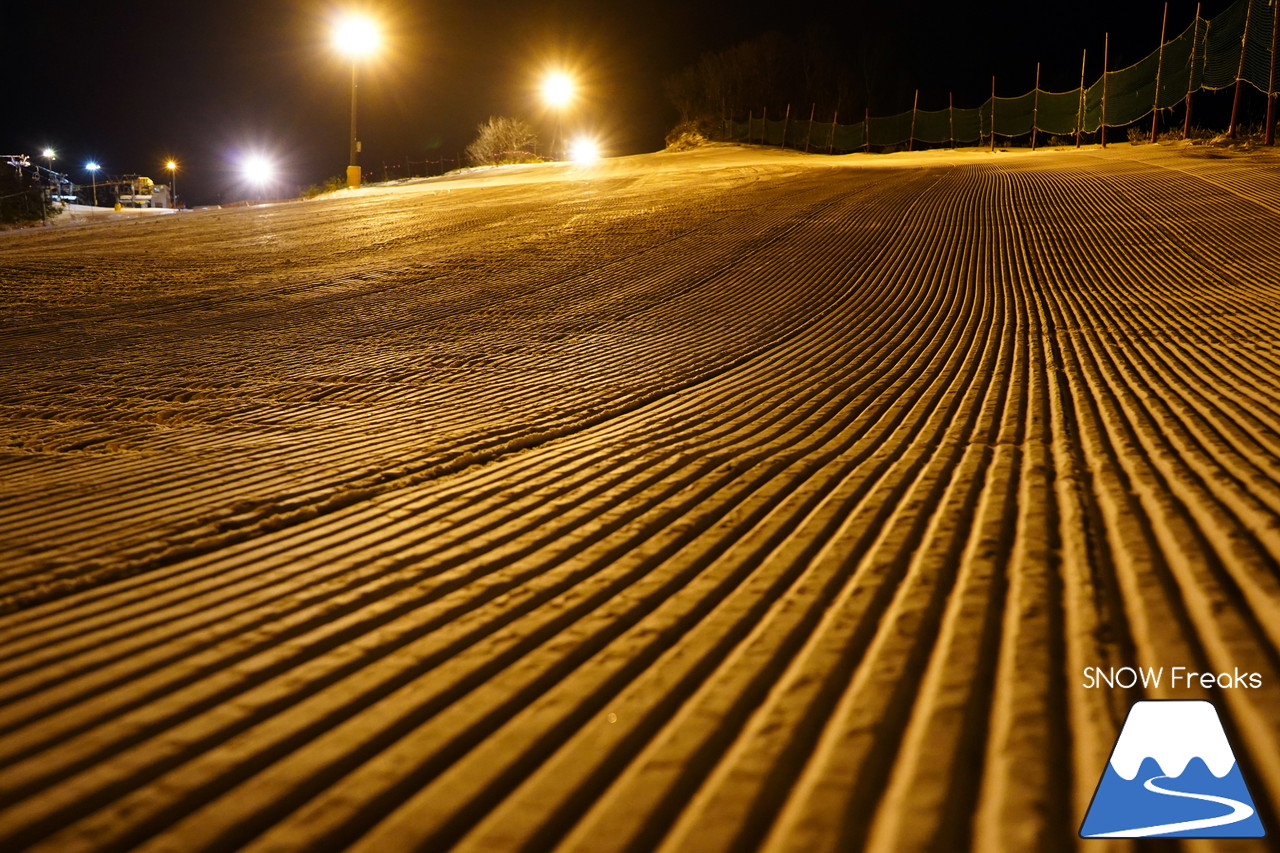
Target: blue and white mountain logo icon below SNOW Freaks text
column 1172, row 776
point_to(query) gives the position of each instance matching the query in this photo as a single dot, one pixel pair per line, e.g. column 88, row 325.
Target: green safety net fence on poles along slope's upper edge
column 1212, row 54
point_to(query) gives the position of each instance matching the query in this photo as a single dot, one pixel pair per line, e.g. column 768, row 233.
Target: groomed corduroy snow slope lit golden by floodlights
column 720, row 501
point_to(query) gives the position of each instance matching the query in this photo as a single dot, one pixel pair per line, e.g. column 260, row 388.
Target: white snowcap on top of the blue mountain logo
column 1173, row 733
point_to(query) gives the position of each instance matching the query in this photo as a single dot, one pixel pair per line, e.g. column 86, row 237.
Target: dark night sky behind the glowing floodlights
column 130, row 83
